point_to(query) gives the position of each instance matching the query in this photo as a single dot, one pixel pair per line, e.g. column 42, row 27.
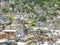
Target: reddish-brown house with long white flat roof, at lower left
column 10, row 34
